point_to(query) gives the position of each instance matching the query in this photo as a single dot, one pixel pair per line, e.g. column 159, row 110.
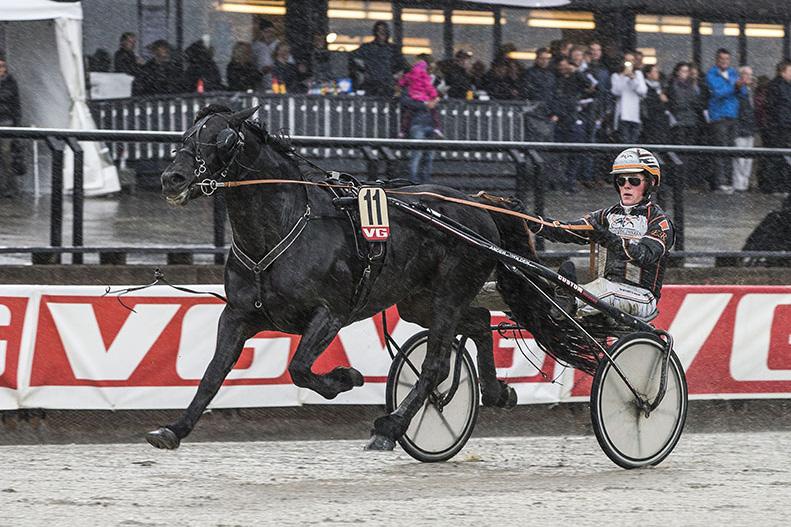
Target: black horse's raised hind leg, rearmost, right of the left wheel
column 475, row 324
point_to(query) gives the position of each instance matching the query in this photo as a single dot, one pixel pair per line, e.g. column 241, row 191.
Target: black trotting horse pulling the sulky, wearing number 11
column 311, row 289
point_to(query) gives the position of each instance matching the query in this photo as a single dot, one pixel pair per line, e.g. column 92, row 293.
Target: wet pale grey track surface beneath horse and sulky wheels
column 710, row 479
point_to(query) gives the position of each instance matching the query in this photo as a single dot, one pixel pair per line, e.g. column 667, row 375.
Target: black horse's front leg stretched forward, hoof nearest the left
column 232, row 332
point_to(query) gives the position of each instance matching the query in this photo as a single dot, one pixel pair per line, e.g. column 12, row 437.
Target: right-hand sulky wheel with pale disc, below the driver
column 628, row 436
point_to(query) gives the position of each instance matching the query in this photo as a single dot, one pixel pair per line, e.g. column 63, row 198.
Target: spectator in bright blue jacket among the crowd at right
column 725, row 88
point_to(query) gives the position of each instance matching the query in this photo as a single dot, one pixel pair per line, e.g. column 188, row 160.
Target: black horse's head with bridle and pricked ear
column 209, row 150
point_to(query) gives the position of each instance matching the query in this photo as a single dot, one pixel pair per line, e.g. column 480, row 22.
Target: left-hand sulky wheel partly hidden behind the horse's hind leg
column 439, row 430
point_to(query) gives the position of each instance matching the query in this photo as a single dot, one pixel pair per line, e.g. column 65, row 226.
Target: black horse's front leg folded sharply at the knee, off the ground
column 315, row 339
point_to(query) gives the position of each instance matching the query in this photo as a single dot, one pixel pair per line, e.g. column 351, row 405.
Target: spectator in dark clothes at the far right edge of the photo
column 778, row 103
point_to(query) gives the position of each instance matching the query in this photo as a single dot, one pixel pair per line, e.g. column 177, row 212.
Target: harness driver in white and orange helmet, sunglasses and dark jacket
column 636, row 236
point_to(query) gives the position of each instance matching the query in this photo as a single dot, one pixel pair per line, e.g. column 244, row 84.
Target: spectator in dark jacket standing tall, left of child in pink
column 380, row 61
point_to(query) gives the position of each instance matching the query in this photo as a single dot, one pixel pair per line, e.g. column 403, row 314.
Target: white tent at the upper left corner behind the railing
column 43, row 41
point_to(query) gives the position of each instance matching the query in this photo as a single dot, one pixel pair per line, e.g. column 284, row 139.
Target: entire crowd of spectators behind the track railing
column 578, row 94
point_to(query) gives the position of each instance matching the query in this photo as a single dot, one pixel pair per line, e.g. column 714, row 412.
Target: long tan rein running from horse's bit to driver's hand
column 212, row 185
